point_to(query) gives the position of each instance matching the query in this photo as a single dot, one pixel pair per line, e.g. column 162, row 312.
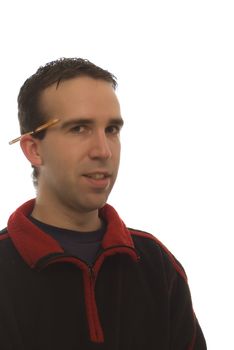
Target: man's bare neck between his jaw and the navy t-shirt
column 66, row 218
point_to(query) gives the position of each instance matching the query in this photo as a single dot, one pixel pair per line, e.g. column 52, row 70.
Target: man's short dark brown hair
column 29, row 114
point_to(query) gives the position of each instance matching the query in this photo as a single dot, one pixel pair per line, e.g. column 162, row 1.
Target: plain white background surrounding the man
column 175, row 66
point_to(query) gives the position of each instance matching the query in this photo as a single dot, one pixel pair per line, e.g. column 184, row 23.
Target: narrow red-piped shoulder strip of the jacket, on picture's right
column 148, row 238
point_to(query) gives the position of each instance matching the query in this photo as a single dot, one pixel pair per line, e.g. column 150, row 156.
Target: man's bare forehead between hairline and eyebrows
column 80, row 97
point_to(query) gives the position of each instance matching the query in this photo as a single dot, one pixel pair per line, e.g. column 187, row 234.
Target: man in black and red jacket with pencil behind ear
column 72, row 275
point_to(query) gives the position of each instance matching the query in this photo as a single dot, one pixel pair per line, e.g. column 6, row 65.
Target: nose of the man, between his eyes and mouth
column 100, row 147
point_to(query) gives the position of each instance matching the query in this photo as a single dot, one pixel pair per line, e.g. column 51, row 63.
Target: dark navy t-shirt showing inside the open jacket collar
column 83, row 245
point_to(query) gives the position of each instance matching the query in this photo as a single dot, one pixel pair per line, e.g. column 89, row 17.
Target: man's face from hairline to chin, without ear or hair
column 79, row 155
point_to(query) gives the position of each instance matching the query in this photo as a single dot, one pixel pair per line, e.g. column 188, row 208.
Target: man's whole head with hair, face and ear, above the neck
column 77, row 159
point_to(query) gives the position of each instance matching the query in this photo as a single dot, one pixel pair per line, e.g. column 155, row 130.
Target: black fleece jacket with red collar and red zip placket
column 134, row 297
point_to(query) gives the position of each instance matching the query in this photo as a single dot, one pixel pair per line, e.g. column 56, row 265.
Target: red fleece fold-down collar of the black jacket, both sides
column 33, row 244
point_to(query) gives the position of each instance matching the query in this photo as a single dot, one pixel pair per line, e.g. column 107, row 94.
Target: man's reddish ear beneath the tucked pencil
column 31, row 149
